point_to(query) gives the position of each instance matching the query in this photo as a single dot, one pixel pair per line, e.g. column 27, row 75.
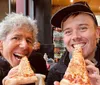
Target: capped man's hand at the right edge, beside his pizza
column 93, row 73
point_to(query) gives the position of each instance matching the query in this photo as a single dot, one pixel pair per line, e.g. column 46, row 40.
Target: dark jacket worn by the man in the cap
column 57, row 72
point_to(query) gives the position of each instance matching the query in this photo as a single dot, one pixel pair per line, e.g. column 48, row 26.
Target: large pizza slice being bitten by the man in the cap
column 76, row 73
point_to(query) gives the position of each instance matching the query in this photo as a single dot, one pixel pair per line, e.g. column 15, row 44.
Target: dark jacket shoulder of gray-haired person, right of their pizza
column 38, row 63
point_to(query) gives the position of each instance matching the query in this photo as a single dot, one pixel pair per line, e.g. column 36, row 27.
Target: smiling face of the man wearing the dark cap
column 80, row 29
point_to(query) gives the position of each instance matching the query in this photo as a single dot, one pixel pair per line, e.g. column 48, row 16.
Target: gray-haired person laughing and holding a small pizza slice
column 17, row 36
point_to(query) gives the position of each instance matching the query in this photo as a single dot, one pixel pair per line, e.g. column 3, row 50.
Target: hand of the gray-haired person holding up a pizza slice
column 13, row 79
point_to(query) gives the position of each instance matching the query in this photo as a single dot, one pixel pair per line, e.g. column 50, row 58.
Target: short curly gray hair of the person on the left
column 15, row 21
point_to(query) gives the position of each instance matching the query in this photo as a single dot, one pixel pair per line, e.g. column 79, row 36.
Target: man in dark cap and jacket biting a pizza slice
column 79, row 26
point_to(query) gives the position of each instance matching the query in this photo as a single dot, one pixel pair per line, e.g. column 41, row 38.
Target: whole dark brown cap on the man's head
column 71, row 9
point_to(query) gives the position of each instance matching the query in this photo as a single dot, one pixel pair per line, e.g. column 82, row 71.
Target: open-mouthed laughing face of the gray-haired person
column 17, row 43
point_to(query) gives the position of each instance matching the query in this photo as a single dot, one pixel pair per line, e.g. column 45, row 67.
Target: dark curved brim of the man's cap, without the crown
column 61, row 14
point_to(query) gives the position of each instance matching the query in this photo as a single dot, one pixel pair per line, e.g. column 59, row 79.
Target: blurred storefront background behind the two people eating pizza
column 50, row 37
